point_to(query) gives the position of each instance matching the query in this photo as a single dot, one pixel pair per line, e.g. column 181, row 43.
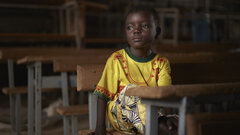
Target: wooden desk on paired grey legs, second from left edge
column 36, row 82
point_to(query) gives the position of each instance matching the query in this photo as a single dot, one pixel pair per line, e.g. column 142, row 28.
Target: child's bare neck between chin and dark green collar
column 142, row 53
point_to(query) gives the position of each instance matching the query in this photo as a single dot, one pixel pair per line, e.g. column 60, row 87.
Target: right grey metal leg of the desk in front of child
column 182, row 117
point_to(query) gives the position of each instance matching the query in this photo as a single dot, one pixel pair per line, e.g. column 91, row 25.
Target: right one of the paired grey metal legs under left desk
column 38, row 97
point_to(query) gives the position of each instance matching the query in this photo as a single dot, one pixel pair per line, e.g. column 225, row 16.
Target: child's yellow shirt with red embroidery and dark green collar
column 123, row 68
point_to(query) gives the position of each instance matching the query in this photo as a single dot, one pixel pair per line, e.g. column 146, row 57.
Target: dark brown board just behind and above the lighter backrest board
column 69, row 64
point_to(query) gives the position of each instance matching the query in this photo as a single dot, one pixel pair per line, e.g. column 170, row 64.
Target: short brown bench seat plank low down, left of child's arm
column 72, row 110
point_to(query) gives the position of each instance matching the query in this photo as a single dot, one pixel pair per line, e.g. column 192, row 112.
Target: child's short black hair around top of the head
column 149, row 10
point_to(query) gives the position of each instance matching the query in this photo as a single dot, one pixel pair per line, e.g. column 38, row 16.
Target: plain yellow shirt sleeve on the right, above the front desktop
column 164, row 77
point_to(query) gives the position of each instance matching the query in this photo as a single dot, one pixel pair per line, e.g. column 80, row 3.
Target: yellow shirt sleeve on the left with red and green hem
column 108, row 84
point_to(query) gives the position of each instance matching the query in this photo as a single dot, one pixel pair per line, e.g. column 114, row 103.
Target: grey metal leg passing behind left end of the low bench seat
column 66, row 119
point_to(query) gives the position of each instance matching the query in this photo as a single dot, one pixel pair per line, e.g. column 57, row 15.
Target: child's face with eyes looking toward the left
column 140, row 29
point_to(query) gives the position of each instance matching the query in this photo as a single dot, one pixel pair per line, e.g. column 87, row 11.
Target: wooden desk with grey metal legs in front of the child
column 177, row 96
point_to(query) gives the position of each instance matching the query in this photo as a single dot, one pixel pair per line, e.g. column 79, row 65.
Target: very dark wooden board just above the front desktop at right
column 215, row 72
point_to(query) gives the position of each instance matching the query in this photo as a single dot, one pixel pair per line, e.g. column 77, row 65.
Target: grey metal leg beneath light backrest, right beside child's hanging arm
column 92, row 102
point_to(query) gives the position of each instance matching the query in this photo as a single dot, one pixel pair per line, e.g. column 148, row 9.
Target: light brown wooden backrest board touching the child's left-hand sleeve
column 88, row 76
